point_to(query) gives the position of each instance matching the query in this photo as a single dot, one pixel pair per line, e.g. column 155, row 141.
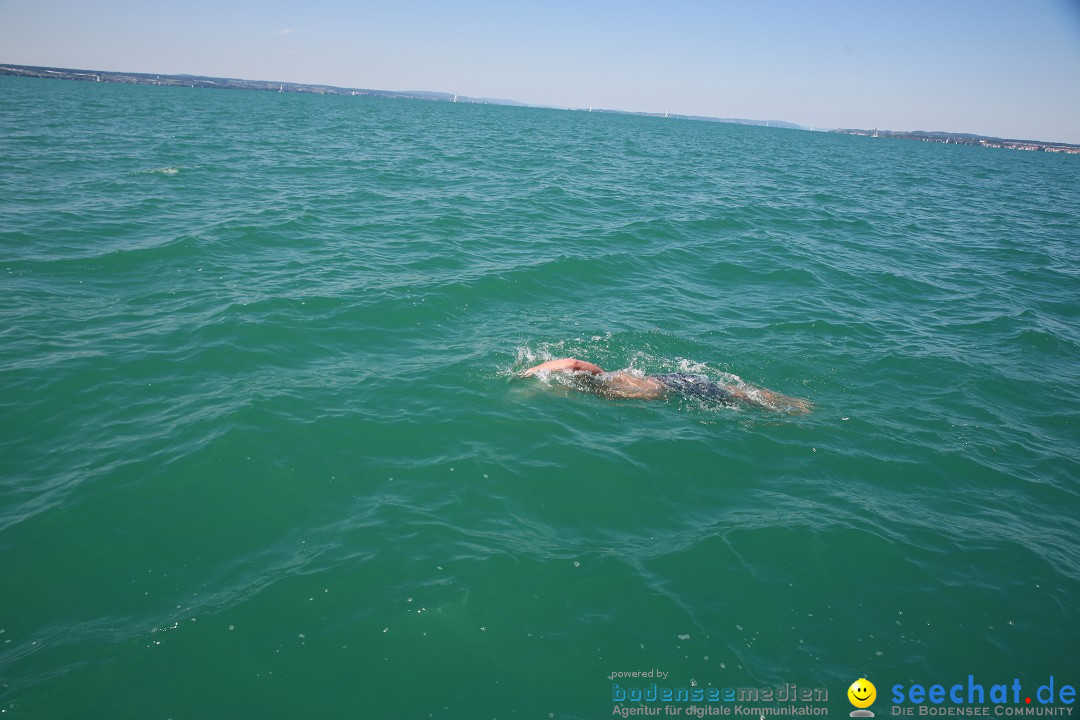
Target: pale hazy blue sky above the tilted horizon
column 995, row 67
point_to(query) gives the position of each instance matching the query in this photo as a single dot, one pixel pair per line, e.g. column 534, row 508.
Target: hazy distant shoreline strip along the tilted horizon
column 267, row 86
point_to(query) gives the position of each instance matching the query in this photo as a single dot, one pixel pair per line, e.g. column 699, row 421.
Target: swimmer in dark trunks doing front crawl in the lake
column 626, row 385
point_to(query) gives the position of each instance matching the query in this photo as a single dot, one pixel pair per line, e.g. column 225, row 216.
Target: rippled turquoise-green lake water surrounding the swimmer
column 264, row 452
